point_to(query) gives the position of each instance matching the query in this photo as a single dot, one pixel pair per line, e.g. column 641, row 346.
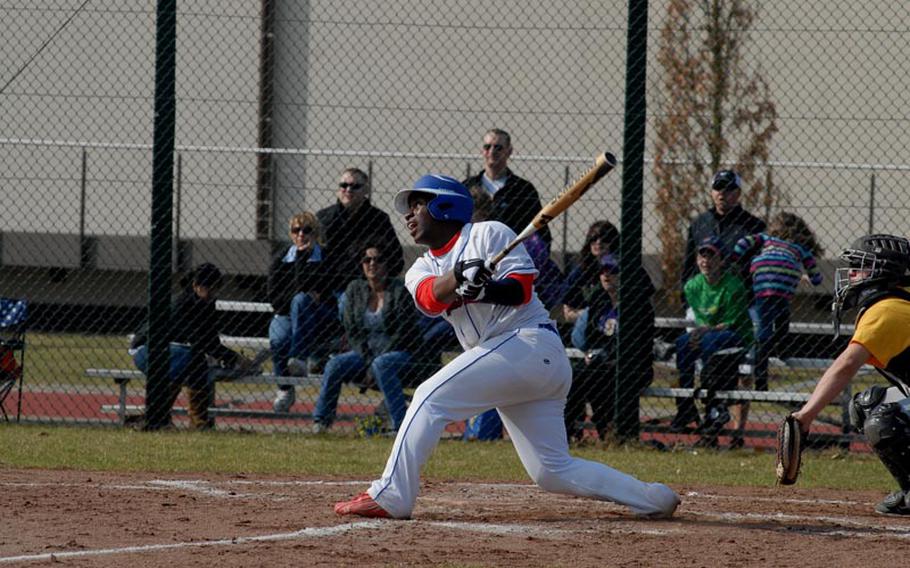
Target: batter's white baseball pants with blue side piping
column 526, row 376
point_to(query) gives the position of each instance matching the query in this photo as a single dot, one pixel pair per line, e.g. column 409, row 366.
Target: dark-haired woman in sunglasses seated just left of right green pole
column 601, row 238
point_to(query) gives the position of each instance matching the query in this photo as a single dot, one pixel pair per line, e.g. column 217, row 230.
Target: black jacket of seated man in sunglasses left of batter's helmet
column 347, row 234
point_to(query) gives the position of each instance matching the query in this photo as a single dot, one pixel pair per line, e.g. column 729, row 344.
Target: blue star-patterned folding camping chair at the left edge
column 13, row 318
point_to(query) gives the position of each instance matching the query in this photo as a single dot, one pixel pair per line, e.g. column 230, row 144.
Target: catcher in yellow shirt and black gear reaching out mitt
column 873, row 282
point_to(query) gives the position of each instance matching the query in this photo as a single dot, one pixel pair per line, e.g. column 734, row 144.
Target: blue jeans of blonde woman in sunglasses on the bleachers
column 300, row 333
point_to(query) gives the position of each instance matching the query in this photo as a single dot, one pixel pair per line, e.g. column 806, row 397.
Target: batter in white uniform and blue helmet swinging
column 514, row 361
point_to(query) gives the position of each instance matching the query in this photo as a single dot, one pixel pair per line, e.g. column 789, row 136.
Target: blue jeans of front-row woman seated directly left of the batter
column 386, row 370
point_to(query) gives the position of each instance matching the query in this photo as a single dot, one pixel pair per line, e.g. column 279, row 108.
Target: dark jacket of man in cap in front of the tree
column 730, row 228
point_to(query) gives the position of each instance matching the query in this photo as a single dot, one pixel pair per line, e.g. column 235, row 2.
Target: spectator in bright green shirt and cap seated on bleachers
column 720, row 304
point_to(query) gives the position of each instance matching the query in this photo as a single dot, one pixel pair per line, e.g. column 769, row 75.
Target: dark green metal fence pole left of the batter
column 157, row 413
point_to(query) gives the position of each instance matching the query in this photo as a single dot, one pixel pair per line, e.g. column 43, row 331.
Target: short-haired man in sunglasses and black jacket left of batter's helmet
column 352, row 223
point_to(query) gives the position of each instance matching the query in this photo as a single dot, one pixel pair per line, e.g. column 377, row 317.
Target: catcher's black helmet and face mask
column 874, row 262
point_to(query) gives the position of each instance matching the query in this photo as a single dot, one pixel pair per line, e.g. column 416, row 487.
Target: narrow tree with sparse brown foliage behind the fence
column 714, row 111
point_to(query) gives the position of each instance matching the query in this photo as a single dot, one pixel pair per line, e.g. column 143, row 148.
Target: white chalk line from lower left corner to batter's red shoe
column 295, row 535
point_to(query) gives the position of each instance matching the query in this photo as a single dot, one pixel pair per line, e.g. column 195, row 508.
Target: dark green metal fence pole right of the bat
column 633, row 355
